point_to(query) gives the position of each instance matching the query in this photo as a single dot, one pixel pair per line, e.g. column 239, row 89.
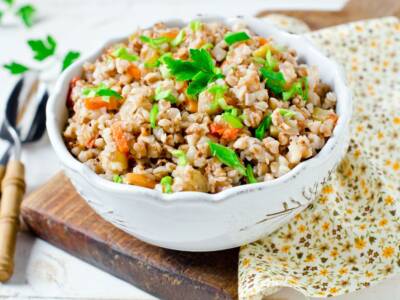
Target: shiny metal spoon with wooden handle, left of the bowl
column 23, row 122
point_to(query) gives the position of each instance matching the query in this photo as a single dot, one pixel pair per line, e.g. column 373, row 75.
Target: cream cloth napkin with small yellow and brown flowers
column 349, row 238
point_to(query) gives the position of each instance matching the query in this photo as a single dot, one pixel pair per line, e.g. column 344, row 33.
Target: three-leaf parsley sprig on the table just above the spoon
column 42, row 49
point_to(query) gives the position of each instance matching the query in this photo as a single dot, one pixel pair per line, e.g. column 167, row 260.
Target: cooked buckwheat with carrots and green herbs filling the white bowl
column 200, row 108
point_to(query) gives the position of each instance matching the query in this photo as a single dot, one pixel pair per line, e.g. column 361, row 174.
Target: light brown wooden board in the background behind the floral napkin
column 354, row 10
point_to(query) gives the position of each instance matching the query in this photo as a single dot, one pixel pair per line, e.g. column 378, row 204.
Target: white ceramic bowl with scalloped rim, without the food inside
column 195, row 221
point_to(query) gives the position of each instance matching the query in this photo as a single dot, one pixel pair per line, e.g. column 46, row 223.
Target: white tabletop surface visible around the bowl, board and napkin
column 43, row 271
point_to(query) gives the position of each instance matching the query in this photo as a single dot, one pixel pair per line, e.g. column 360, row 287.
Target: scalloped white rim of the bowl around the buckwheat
column 94, row 179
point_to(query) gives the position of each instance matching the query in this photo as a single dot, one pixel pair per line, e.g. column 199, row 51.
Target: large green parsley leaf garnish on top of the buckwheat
column 200, row 70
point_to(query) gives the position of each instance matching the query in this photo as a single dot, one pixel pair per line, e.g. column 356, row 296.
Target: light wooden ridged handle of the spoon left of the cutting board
column 13, row 188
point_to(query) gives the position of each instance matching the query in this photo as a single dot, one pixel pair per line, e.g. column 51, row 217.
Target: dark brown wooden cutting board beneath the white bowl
column 59, row 215
